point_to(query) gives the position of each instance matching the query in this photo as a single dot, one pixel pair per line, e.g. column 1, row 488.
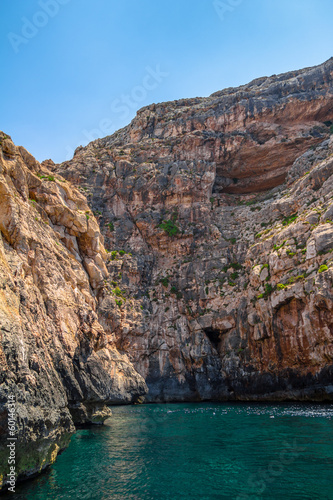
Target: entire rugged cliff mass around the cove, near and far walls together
column 189, row 253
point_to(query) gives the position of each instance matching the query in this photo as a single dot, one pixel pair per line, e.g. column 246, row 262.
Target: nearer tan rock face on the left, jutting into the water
column 57, row 361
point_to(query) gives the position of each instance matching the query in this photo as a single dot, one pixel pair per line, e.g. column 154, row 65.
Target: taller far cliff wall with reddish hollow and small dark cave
column 218, row 279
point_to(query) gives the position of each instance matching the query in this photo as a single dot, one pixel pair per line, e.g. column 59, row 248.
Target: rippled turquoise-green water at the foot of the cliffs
column 197, row 451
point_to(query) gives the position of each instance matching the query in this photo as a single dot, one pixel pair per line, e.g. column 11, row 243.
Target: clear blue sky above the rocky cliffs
column 75, row 70
